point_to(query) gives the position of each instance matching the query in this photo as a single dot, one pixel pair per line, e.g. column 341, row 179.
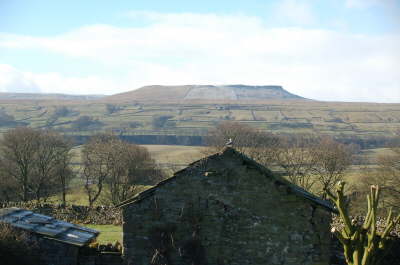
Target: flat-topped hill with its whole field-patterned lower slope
column 182, row 111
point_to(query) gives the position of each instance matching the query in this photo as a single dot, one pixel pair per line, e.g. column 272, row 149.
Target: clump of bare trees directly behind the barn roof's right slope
column 307, row 160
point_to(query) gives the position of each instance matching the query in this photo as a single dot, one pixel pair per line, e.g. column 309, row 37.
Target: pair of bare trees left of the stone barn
column 36, row 164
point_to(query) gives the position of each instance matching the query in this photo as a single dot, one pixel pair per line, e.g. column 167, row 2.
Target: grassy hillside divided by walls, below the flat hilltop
column 195, row 118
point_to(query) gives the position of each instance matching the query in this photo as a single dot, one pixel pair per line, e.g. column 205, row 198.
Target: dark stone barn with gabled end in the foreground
column 226, row 209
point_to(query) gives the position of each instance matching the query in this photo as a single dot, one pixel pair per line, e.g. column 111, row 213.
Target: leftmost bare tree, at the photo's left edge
column 30, row 157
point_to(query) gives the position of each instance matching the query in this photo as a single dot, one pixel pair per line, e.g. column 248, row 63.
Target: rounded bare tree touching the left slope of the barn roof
column 108, row 162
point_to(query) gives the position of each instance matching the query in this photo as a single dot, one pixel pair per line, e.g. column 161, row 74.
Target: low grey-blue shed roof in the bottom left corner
column 48, row 227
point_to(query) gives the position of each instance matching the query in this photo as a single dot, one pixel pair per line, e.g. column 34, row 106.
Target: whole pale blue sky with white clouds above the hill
column 334, row 50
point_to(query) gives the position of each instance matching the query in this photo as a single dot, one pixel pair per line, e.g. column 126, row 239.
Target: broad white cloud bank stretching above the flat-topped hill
column 217, row 49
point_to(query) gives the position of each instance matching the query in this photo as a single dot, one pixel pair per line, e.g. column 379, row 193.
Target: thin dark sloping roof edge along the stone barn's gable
column 227, row 151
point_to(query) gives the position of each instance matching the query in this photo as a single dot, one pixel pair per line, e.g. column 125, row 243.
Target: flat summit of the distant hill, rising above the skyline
column 206, row 92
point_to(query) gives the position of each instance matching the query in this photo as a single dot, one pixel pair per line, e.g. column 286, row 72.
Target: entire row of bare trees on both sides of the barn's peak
column 35, row 164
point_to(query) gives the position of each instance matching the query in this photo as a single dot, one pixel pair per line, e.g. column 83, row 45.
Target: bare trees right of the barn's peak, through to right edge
column 314, row 162
